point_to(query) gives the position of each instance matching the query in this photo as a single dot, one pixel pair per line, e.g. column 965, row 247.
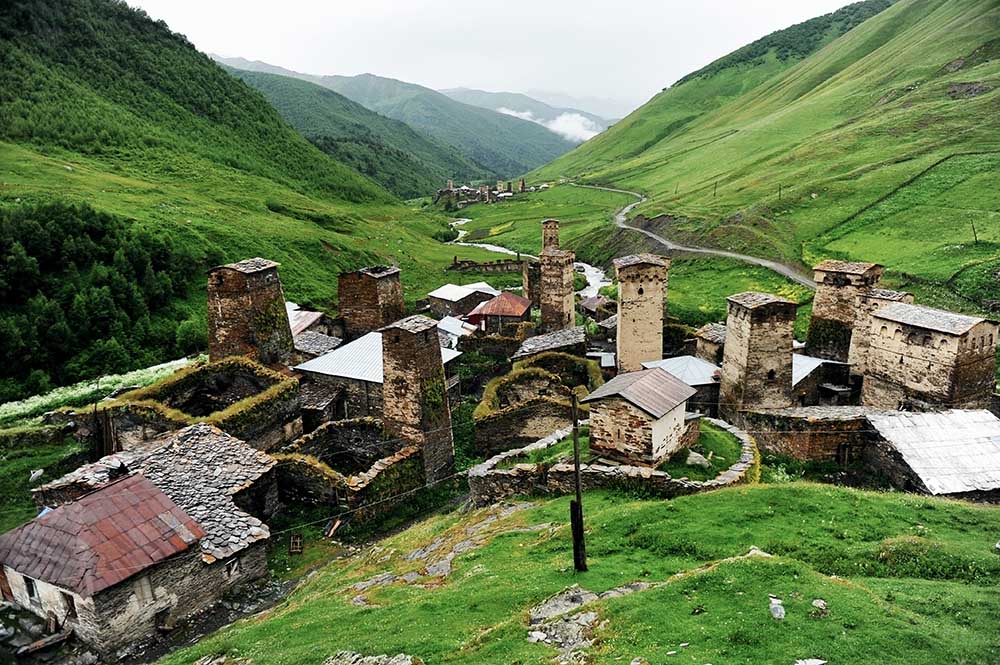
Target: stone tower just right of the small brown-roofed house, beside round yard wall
column 757, row 360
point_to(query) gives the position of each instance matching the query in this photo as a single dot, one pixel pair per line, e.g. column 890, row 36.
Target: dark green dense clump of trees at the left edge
column 85, row 293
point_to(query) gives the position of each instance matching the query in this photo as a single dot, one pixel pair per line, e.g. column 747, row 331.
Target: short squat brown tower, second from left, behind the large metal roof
column 369, row 299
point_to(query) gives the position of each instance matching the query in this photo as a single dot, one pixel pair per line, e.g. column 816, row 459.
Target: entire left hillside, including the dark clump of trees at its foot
column 130, row 164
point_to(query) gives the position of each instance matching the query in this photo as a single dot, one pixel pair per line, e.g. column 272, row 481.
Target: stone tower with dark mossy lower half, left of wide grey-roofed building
column 838, row 284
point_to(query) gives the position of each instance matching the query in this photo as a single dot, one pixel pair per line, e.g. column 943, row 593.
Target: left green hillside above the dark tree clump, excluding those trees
column 134, row 121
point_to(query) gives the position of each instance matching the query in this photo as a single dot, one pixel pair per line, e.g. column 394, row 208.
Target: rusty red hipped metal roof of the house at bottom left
column 101, row 539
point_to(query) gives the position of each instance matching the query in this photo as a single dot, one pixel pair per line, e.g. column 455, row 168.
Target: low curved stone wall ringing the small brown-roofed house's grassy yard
column 489, row 484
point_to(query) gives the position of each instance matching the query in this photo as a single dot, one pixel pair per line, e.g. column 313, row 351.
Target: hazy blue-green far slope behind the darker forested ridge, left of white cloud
column 507, row 145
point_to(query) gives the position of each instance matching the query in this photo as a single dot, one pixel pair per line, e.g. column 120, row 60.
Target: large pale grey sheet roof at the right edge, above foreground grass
column 950, row 451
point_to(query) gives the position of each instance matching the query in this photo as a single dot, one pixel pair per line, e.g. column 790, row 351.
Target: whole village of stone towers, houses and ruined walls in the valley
column 353, row 412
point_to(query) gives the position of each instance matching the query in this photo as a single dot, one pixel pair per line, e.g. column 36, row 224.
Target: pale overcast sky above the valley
column 625, row 50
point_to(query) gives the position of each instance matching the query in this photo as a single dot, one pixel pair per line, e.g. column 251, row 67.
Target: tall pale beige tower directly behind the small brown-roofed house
column 642, row 297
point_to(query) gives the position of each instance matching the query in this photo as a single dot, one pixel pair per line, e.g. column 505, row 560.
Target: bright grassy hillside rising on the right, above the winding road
column 882, row 135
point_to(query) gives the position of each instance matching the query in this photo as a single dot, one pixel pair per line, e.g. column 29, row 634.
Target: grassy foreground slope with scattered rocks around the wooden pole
column 915, row 581
